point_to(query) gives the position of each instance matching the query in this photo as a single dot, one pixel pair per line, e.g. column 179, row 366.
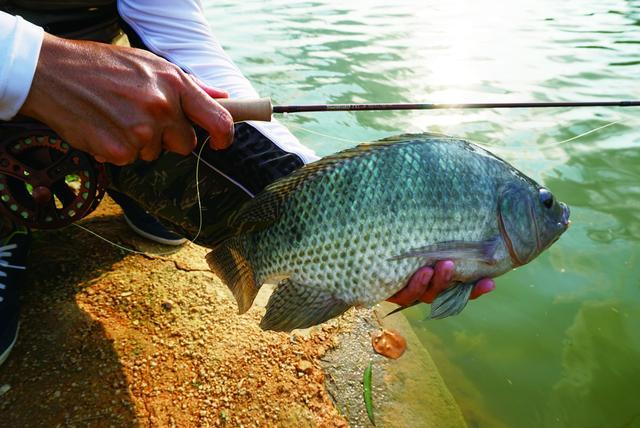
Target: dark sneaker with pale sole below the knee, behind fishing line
column 143, row 223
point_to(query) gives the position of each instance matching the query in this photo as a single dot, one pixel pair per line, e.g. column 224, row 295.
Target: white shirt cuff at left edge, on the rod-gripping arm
column 20, row 43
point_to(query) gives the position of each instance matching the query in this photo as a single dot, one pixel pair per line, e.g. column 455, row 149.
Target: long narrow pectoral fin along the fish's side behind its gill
column 455, row 250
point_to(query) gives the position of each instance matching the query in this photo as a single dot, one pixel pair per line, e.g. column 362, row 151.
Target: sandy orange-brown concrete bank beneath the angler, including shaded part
column 112, row 338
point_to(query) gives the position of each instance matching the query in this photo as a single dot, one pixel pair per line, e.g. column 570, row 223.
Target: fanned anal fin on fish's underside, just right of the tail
column 294, row 305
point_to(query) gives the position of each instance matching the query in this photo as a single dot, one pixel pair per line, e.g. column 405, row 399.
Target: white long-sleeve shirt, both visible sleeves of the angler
column 175, row 30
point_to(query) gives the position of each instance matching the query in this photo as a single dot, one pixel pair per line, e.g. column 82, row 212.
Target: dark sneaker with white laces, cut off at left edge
column 14, row 249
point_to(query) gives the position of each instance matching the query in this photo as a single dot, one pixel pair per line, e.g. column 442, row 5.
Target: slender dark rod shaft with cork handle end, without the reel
column 261, row 109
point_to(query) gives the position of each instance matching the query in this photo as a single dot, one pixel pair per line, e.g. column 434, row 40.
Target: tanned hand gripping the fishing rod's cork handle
column 120, row 104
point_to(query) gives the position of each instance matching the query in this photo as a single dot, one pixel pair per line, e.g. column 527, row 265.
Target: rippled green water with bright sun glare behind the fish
column 558, row 344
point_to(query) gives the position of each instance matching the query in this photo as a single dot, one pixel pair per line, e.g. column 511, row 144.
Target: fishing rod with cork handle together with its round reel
column 24, row 144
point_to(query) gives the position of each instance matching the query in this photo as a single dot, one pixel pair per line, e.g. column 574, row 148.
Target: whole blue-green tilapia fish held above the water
column 351, row 228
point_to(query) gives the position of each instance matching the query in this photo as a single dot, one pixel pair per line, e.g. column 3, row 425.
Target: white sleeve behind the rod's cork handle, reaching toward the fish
column 179, row 32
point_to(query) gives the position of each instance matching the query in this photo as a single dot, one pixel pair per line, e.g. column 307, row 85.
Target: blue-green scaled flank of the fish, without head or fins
column 392, row 194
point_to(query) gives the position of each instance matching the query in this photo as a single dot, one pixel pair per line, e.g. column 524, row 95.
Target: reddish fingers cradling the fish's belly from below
column 426, row 283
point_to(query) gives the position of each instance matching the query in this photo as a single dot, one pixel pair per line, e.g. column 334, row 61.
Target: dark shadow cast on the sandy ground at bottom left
column 64, row 369
